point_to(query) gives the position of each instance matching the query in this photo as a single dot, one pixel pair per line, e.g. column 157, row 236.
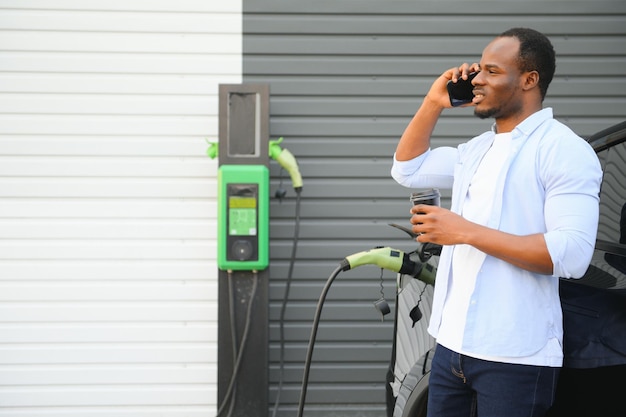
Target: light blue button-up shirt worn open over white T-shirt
column 550, row 184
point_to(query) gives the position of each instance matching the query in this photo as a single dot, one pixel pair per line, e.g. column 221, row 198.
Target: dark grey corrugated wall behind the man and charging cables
column 345, row 77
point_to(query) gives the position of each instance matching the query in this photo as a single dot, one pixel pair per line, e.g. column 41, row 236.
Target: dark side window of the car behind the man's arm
column 608, row 266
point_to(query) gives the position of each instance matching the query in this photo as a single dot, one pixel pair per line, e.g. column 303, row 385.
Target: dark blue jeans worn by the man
column 462, row 386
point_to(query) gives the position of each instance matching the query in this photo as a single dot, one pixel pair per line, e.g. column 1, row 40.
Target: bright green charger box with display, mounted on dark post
column 243, row 210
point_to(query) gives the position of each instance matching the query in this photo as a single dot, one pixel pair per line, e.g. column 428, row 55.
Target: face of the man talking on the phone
column 498, row 86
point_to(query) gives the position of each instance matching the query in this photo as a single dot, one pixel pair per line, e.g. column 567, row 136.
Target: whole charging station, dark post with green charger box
column 243, row 249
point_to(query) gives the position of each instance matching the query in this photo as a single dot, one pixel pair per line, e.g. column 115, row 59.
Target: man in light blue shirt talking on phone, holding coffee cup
column 524, row 212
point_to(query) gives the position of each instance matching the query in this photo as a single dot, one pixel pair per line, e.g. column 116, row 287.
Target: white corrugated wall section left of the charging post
column 108, row 277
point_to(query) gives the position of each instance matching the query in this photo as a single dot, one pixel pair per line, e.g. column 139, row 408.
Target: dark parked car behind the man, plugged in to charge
column 591, row 383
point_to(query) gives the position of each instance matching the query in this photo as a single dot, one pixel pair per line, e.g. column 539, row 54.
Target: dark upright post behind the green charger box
column 243, row 297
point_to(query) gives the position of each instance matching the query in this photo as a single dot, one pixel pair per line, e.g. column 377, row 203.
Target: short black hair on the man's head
column 536, row 54
